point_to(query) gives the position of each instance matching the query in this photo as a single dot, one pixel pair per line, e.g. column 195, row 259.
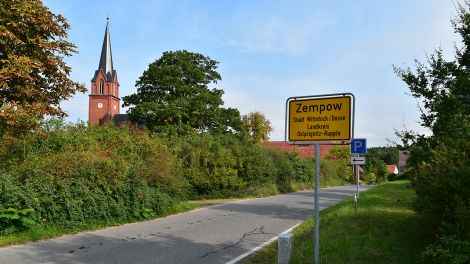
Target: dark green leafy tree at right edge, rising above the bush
column 443, row 87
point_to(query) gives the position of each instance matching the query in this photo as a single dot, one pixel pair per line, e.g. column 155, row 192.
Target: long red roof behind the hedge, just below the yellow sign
column 304, row 151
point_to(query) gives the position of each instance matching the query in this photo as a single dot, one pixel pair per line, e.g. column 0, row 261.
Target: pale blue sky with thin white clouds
column 270, row 50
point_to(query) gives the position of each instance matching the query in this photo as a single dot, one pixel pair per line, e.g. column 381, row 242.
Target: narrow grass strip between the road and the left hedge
column 40, row 232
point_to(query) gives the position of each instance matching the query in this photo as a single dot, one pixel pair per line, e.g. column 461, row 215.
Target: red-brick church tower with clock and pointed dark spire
column 104, row 100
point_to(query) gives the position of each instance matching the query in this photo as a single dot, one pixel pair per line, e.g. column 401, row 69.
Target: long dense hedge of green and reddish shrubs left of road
column 69, row 175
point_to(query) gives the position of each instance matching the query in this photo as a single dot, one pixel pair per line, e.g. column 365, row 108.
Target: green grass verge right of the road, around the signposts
column 386, row 230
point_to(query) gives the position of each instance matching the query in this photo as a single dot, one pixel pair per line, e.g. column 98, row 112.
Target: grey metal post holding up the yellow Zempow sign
column 317, row 205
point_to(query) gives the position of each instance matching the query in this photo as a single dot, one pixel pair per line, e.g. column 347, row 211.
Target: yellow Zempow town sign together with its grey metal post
column 318, row 119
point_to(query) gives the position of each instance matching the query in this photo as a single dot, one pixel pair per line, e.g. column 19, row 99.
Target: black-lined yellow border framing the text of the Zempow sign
column 342, row 140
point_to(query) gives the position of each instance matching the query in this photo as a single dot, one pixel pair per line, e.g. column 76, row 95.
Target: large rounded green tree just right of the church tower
column 174, row 91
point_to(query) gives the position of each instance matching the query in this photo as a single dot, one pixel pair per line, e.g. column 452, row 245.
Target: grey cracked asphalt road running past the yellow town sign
column 215, row 234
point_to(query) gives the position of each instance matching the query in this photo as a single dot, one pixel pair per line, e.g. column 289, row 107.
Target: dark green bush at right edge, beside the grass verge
column 442, row 185
